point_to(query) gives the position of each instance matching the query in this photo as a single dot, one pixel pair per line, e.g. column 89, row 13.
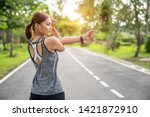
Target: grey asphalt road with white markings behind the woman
column 85, row 76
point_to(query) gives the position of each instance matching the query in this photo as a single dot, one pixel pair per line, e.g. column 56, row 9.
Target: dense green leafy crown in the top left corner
column 15, row 12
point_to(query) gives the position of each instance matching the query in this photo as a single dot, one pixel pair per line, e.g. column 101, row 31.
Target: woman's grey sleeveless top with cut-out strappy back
column 46, row 81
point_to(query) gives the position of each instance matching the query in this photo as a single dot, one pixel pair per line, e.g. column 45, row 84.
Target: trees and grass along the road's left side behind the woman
column 14, row 16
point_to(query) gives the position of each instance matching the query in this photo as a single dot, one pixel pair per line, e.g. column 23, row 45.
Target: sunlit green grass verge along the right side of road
column 124, row 52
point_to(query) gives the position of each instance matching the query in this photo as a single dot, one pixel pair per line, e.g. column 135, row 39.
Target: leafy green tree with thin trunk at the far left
column 16, row 12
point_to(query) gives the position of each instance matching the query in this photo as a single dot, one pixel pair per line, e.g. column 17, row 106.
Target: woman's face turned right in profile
column 44, row 27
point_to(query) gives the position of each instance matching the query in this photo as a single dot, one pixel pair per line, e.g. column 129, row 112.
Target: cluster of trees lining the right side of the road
column 112, row 17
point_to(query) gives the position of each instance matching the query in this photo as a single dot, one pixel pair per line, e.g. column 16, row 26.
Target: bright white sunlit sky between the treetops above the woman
column 69, row 9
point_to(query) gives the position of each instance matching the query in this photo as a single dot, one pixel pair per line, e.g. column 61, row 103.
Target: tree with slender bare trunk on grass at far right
column 130, row 16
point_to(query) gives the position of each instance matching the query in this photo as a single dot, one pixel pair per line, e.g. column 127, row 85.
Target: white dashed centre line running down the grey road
column 96, row 77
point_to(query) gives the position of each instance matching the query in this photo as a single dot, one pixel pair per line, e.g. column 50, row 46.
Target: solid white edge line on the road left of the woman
column 15, row 70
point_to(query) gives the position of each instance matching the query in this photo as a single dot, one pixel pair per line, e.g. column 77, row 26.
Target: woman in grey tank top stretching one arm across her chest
column 43, row 49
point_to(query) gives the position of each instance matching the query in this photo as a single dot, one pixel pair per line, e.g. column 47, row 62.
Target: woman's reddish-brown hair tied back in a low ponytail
column 38, row 17
